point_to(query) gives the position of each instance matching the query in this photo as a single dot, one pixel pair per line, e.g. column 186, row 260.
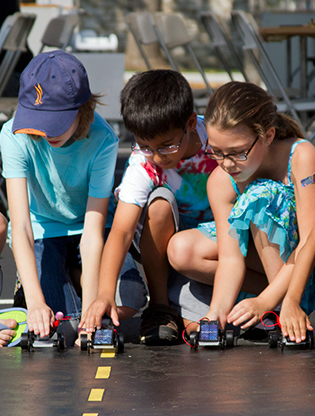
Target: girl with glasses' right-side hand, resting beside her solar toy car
column 248, row 310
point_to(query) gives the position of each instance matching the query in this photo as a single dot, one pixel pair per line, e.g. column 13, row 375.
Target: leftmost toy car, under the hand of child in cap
column 54, row 339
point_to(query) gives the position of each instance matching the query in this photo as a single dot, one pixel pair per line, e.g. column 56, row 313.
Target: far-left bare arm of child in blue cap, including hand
column 40, row 317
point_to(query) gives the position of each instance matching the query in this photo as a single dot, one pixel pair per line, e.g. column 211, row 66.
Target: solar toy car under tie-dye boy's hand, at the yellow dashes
column 106, row 337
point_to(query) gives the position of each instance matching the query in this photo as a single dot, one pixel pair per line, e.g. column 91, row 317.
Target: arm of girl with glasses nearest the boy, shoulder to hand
column 231, row 266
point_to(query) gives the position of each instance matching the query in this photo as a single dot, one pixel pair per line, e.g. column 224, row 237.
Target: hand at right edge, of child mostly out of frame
column 294, row 321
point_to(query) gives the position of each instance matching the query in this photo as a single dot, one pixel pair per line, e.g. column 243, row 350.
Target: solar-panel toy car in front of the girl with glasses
column 210, row 335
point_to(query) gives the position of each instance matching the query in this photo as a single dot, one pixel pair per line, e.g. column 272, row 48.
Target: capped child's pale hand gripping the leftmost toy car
column 40, row 319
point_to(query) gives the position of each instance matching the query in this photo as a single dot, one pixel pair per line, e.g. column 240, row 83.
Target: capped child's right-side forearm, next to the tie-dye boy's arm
column 91, row 248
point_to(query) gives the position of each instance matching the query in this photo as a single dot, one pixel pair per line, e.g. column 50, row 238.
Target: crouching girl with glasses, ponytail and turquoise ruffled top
column 262, row 213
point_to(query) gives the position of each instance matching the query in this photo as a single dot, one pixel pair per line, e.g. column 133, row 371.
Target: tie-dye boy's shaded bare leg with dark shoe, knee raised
column 159, row 320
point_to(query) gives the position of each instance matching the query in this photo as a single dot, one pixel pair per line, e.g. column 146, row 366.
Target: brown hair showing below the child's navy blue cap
column 86, row 115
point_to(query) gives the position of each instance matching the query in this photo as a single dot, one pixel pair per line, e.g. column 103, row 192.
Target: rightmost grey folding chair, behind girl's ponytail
column 248, row 31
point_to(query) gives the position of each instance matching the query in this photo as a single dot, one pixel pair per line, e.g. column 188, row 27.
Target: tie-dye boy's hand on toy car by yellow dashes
column 93, row 316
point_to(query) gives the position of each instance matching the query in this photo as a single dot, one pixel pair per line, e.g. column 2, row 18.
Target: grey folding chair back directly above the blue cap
column 59, row 31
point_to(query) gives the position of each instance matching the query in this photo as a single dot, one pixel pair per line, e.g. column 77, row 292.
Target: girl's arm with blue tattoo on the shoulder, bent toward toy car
column 303, row 162
